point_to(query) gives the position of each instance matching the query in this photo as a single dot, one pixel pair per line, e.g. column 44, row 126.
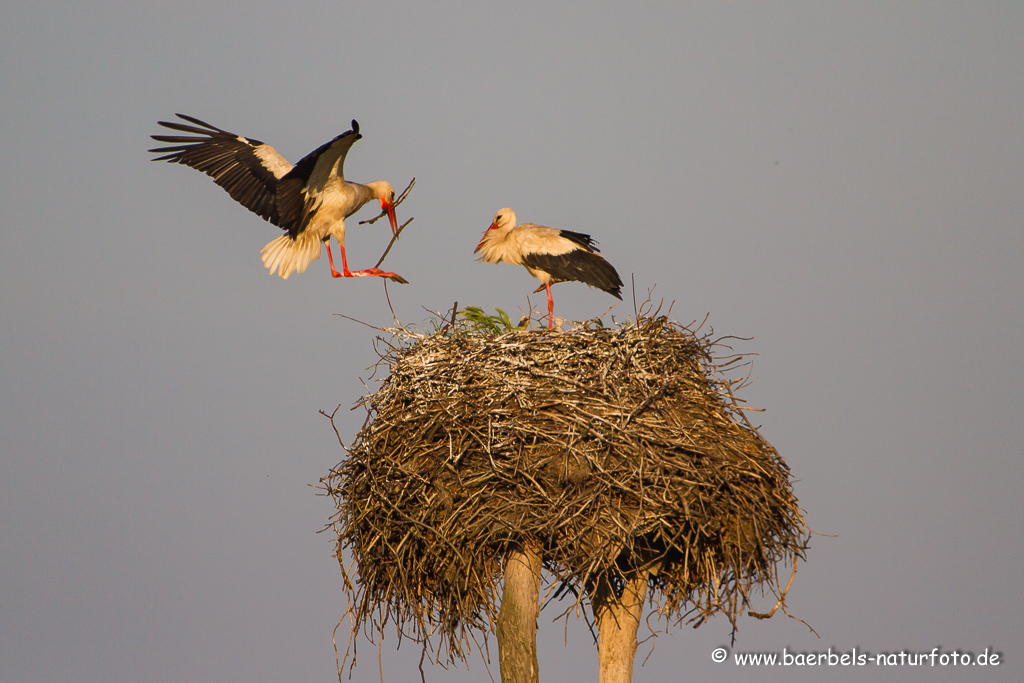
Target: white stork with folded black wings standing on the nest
column 551, row 255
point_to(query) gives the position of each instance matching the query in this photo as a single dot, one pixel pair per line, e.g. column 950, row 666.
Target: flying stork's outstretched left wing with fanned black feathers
column 249, row 170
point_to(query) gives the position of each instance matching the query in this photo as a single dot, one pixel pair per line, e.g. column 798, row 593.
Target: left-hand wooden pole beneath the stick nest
column 518, row 619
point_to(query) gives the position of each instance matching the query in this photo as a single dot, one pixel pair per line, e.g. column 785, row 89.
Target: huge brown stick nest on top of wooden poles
column 614, row 451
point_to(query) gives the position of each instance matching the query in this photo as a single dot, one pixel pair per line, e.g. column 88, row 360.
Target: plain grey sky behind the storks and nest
column 842, row 183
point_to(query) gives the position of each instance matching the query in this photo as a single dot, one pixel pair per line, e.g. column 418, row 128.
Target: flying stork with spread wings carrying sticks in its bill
column 310, row 201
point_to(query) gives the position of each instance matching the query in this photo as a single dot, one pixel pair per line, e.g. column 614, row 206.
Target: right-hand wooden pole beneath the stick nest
column 618, row 621
